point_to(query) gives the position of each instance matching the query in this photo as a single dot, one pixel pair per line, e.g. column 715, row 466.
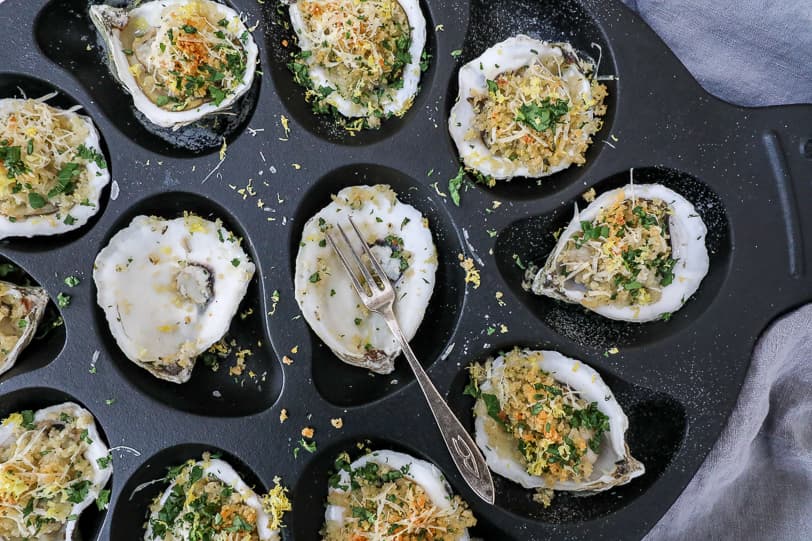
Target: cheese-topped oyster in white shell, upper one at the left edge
column 52, row 171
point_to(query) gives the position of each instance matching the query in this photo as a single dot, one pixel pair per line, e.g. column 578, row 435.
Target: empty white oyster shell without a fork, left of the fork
column 169, row 289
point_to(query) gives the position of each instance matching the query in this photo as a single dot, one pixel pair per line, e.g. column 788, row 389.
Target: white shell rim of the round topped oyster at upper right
column 507, row 56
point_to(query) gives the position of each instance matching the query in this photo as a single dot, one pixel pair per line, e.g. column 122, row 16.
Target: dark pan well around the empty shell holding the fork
column 345, row 385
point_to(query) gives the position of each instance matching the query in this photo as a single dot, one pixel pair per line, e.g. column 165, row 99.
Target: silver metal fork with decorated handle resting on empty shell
column 379, row 297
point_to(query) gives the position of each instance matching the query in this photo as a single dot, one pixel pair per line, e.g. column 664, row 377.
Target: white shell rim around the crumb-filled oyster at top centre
column 402, row 99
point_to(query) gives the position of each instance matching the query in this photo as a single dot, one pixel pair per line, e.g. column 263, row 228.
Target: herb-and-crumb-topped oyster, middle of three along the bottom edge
column 207, row 499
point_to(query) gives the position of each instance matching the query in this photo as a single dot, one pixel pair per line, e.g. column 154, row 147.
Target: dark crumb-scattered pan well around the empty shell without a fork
column 234, row 388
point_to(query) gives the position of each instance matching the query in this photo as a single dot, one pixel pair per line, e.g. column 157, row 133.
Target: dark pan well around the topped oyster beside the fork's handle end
column 657, row 425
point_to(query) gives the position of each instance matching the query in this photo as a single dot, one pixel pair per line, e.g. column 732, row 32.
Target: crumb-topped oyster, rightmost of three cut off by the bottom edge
column 390, row 495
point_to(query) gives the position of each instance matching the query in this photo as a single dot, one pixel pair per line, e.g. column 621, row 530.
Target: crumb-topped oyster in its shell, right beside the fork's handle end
column 546, row 421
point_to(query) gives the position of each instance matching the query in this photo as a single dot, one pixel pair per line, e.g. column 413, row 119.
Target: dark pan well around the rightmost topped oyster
column 531, row 240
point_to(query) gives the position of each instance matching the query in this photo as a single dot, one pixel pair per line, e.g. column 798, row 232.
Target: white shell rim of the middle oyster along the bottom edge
column 221, row 470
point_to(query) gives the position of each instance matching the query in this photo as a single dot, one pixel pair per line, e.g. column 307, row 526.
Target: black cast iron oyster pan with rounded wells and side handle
column 743, row 169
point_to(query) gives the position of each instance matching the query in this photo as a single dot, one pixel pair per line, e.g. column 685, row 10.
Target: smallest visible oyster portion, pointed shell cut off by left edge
column 21, row 310
